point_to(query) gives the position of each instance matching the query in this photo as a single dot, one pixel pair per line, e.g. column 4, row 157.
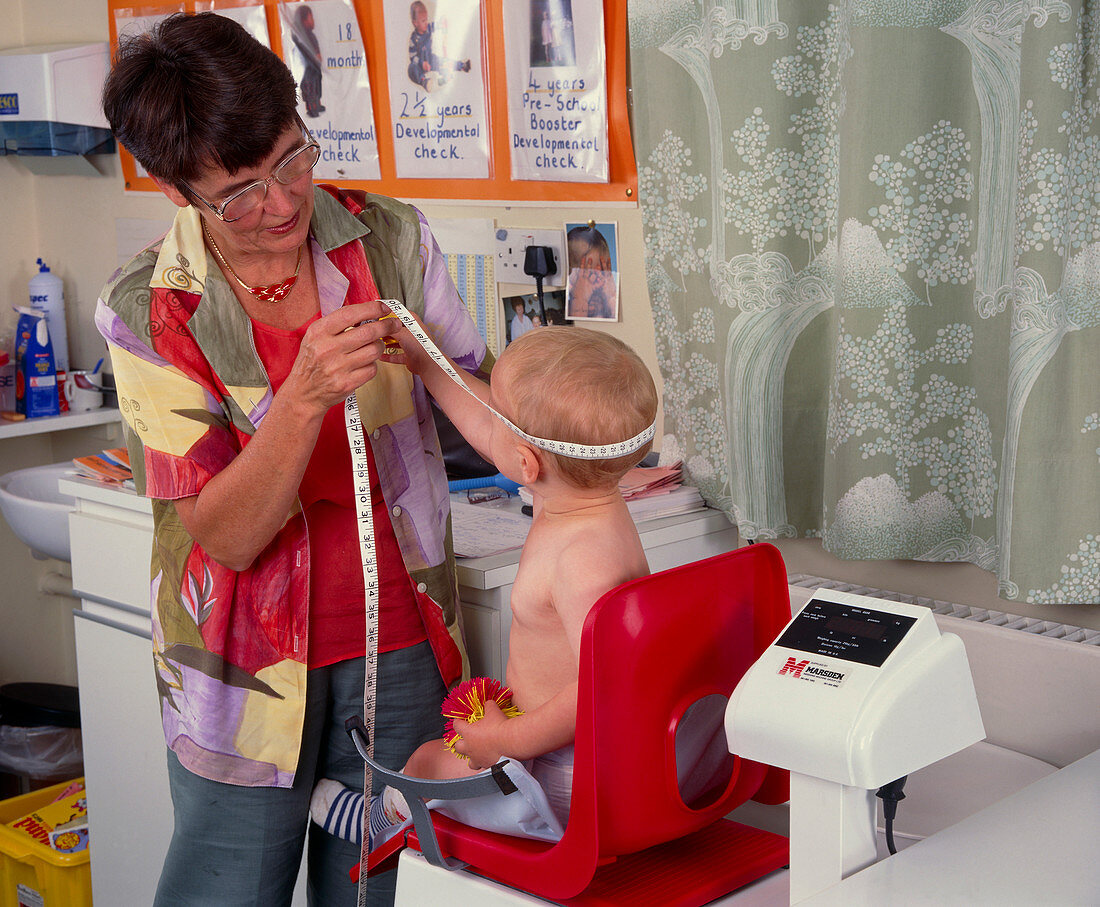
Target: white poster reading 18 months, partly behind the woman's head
column 323, row 47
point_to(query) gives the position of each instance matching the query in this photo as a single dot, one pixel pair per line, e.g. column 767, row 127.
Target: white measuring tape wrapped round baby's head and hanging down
column 365, row 523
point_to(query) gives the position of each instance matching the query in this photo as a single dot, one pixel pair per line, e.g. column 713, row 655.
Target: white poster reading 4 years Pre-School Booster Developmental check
column 557, row 91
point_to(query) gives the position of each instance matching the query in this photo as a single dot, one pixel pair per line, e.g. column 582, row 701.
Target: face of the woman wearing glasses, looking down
column 282, row 223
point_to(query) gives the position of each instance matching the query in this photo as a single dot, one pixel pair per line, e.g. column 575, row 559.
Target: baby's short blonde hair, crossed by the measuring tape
column 582, row 388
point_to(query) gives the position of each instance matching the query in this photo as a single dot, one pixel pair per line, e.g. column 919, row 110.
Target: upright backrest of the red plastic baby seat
column 652, row 649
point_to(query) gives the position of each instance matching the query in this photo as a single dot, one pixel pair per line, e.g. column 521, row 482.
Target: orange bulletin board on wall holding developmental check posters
column 503, row 174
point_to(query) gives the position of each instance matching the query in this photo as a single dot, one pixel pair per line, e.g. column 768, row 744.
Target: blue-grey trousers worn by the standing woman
column 243, row 846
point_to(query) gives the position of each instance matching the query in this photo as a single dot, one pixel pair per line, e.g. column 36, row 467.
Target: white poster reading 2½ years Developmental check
column 437, row 89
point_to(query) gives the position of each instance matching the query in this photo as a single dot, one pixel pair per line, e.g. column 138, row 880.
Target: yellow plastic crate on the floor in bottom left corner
column 32, row 875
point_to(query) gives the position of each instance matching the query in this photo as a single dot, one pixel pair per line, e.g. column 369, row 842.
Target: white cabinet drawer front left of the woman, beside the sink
column 111, row 559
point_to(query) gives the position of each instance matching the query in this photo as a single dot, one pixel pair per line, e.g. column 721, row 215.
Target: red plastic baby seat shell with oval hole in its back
column 650, row 650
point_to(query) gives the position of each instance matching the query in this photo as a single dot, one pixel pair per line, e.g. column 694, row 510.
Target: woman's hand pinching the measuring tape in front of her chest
column 339, row 353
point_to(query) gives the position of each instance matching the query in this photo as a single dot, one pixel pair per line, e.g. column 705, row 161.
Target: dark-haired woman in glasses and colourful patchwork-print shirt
column 235, row 341
